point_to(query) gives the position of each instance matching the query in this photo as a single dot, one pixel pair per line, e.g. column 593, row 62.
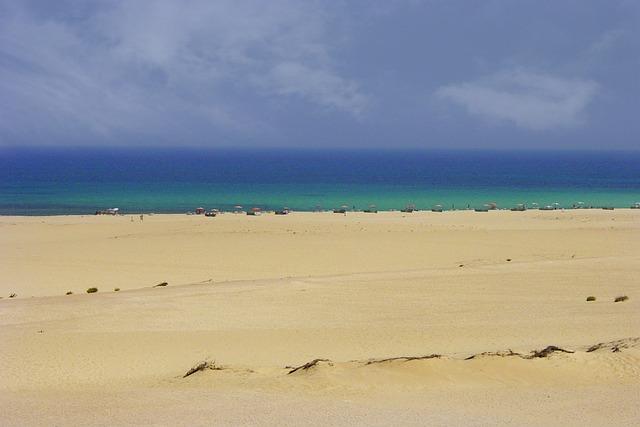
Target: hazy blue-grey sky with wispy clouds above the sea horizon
column 494, row 74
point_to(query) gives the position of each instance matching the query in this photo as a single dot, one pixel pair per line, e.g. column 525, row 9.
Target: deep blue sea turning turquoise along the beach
column 80, row 181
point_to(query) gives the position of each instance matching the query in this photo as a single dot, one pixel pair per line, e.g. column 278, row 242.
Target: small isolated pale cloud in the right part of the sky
column 529, row 100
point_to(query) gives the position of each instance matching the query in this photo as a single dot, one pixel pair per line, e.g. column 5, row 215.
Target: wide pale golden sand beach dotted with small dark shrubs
column 475, row 293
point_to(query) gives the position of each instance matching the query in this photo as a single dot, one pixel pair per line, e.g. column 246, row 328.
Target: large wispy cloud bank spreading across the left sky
column 128, row 66
